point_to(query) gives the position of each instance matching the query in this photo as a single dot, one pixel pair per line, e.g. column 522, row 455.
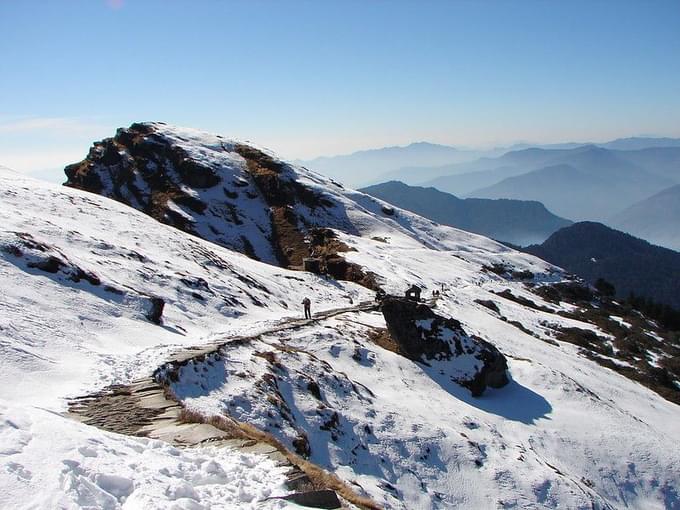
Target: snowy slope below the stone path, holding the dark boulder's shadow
column 530, row 444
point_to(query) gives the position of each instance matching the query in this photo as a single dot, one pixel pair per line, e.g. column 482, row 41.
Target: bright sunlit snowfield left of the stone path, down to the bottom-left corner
column 60, row 339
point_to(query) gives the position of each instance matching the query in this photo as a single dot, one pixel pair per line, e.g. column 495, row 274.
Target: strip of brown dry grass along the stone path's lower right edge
column 319, row 478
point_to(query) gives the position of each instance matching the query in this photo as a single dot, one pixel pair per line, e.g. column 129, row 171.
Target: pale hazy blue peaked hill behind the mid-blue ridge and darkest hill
column 583, row 184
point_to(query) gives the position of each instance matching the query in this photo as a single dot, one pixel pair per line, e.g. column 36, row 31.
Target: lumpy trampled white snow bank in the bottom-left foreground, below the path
column 49, row 461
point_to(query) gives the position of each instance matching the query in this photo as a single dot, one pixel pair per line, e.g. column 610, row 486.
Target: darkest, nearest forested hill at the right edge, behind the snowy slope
column 592, row 250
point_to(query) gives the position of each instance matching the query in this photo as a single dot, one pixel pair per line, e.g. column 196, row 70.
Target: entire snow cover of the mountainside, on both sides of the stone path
column 565, row 432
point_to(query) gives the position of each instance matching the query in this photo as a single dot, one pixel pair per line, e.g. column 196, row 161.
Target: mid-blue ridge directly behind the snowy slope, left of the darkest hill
column 514, row 221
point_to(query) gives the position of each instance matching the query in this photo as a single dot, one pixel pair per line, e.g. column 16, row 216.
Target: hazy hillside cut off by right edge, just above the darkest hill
column 656, row 219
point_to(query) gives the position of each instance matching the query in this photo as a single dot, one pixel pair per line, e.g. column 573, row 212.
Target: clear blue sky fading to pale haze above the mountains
column 309, row 78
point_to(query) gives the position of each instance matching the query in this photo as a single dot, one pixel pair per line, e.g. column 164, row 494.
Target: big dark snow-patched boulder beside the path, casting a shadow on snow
column 423, row 336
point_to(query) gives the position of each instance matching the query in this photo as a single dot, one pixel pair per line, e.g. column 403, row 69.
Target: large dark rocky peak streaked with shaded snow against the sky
column 226, row 192
